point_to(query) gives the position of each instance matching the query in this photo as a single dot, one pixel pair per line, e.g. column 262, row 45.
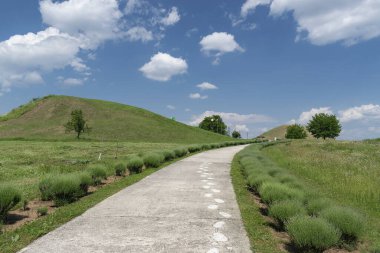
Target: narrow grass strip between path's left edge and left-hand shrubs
column 21, row 237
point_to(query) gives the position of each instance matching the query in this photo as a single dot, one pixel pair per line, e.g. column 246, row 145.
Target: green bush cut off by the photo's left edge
column 9, row 197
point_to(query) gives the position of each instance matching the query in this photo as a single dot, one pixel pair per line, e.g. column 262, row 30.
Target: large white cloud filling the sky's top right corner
column 325, row 22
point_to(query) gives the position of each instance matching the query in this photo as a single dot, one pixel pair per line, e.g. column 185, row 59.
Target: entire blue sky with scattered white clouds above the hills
column 257, row 63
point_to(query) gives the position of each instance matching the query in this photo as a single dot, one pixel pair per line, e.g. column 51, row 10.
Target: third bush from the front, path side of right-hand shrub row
column 271, row 192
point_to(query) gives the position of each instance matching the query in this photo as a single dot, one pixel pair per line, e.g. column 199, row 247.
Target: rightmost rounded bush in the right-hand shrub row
column 346, row 220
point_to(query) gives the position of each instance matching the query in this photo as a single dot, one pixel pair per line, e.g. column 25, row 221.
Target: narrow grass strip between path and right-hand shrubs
column 259, row 235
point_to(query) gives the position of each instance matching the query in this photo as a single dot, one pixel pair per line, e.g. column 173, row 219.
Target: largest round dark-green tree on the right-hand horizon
column 324, row 126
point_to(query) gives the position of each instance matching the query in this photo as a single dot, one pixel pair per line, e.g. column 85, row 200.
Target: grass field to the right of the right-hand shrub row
column 348, row 172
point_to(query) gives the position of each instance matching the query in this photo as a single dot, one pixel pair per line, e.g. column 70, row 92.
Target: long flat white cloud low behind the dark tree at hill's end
column 231, row 118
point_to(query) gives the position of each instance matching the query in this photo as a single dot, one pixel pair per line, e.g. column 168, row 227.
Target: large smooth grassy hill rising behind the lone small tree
column 43, row 119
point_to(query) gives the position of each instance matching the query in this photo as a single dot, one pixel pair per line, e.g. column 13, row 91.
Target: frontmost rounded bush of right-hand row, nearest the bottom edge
column 312, row 233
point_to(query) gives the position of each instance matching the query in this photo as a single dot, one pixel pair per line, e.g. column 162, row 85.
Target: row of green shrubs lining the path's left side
column 66, row 188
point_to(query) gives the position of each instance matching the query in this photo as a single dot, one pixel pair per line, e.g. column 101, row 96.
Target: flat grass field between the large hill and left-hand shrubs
column 24, row 163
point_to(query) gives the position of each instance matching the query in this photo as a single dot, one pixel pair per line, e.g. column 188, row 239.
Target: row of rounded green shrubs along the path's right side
column 313, row 222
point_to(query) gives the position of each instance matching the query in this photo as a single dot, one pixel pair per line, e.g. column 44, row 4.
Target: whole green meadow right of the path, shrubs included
column 322, row 194
